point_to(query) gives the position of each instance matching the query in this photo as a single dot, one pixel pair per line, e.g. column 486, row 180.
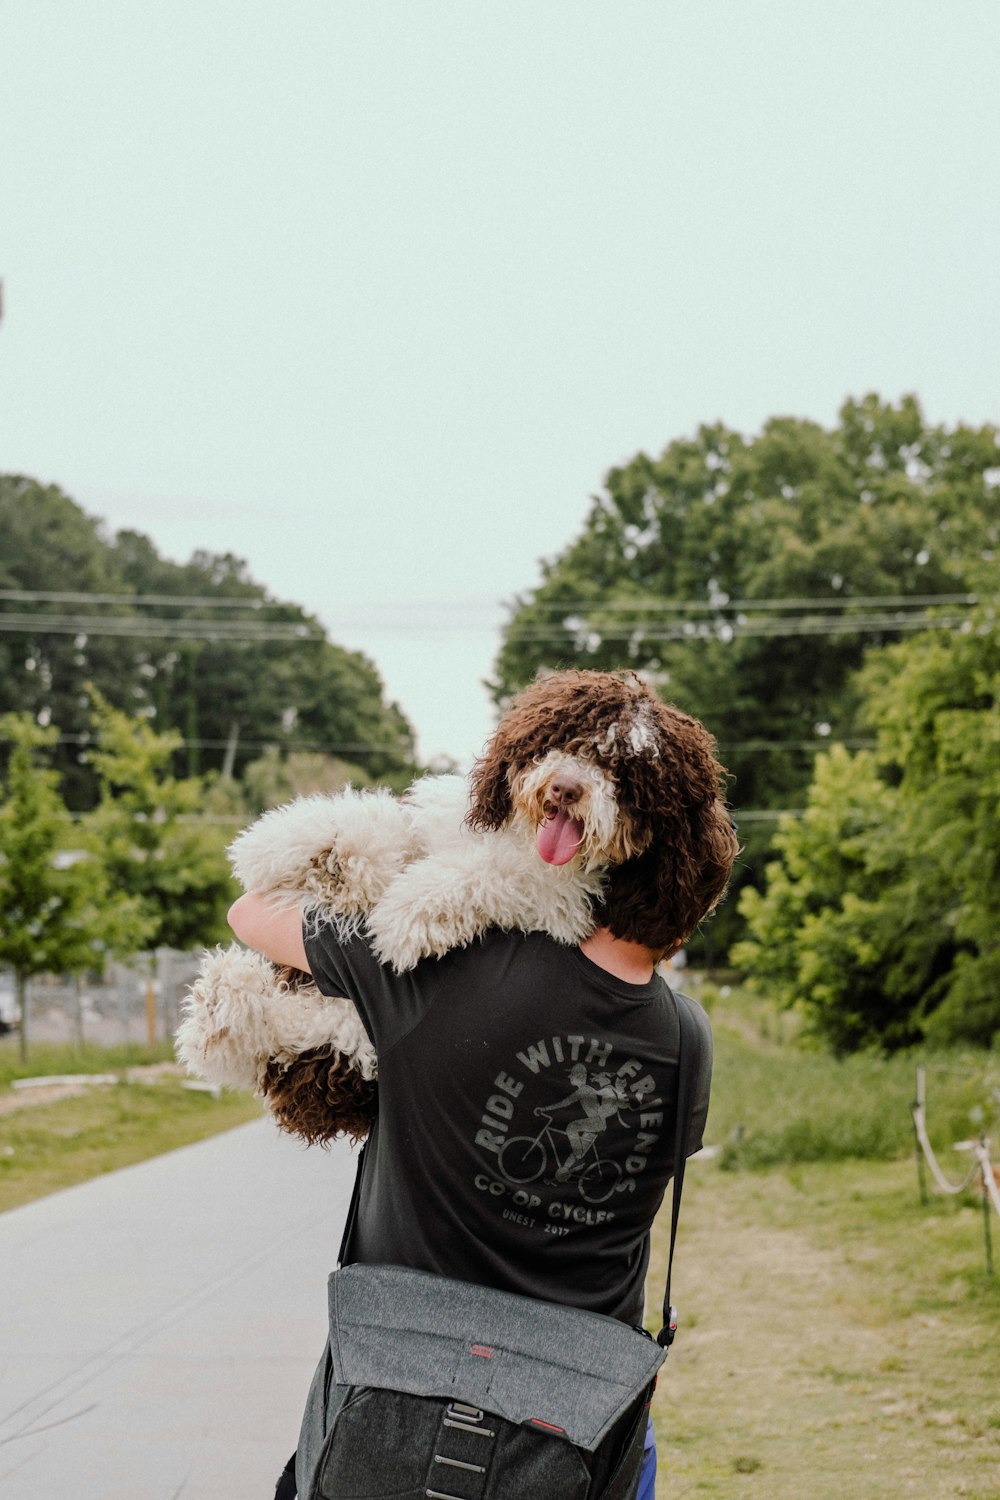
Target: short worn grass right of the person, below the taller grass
column 837, row 1337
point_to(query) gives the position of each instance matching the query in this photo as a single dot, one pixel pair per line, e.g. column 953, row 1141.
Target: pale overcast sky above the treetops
column 374, row 295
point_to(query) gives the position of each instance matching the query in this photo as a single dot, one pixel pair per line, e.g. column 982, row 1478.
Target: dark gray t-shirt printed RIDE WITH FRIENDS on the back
column 527, row 1115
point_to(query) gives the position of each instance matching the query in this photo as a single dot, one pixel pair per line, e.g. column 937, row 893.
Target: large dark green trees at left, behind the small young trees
column 224, row 697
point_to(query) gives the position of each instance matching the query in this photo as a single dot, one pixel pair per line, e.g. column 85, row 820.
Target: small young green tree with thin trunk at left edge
column 56, row 911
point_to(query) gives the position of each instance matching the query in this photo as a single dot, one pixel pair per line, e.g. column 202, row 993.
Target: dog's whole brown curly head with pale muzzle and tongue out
column 609, row 775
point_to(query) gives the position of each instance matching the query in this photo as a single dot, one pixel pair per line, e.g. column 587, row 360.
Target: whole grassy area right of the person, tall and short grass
column 837, row 1336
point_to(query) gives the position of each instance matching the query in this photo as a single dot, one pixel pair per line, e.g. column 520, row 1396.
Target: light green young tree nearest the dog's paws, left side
column 152, row 836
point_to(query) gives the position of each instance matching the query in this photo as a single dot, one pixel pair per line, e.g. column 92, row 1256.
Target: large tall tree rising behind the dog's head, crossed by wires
column 680, row 557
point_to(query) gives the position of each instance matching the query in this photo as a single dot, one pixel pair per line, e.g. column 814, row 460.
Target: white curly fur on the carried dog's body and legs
column 421, row 880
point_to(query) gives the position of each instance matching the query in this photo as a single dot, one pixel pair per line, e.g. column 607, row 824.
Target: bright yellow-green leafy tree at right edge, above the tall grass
column 882, row 913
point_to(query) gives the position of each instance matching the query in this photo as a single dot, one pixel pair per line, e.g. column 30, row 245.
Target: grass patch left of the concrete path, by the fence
column 68, row 1141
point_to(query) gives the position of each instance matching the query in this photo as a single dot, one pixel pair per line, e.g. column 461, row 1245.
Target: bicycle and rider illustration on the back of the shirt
column 572, row 1150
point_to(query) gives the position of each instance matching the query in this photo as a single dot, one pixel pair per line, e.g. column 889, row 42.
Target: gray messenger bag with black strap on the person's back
column 439, row 1388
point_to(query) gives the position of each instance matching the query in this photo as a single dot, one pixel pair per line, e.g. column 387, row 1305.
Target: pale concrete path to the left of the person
column 160, row 1327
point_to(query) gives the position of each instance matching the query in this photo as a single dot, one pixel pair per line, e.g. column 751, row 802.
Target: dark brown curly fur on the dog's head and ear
column 671, row 791
